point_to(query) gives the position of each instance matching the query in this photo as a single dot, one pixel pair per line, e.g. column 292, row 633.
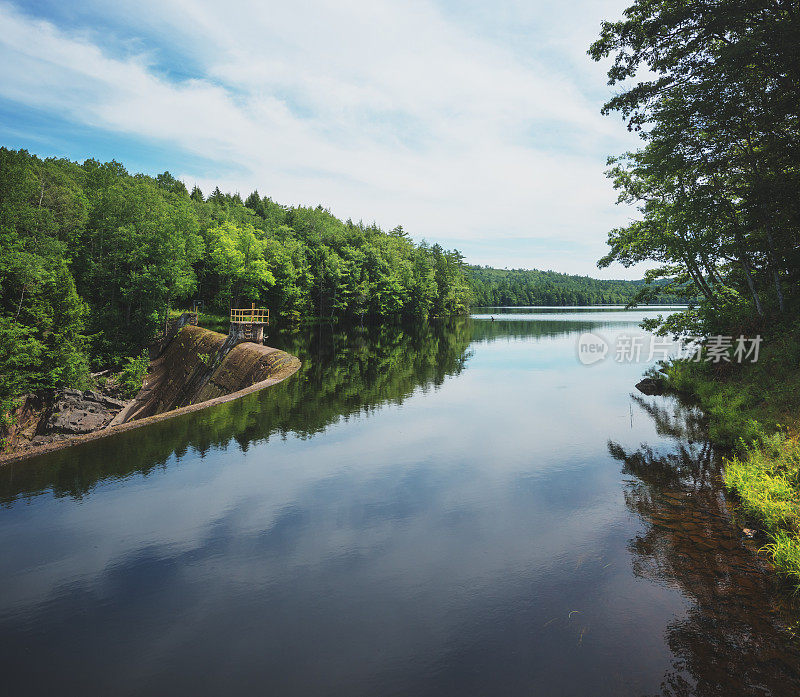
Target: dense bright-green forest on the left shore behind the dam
column 92, row 258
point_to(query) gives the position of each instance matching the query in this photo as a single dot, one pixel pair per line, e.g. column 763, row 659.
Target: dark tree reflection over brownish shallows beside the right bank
column 737, row 637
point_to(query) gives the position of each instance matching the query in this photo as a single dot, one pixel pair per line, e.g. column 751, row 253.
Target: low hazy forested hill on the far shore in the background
column 531, row 287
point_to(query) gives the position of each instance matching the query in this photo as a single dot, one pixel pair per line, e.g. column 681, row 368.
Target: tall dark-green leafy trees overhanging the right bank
column 716, row 180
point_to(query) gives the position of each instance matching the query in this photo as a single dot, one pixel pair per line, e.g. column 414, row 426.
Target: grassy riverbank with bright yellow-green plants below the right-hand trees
column 753, row 412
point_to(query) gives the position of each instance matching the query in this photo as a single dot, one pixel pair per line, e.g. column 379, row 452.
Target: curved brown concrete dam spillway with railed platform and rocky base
column 191, row 368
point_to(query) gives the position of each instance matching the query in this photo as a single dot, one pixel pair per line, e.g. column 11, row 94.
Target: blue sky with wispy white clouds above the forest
column 473, row 124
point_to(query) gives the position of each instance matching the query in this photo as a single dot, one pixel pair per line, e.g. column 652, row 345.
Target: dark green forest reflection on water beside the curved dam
column 345, row 371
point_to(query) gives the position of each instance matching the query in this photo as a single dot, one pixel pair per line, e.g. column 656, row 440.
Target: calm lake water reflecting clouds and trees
column 458, row 510
